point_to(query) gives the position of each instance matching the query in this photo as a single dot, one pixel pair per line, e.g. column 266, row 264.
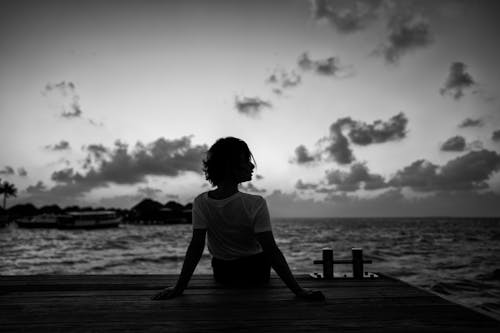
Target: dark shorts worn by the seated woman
column 247, row 271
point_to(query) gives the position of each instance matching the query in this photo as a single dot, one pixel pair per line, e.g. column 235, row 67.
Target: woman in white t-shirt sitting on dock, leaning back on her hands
column 238, row 225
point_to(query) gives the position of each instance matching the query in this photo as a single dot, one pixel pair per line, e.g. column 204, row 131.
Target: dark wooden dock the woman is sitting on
column 82, row 303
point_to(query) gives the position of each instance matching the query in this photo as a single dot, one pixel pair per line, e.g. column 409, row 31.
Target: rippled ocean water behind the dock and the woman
column 456, row 258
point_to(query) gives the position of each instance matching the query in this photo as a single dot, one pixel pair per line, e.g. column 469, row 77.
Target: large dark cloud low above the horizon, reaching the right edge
column 466, row 172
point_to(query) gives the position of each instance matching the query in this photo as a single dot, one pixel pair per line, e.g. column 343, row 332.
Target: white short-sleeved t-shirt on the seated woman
column 231, row 223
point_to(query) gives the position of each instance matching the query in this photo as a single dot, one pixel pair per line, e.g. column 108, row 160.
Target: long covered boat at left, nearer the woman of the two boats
column 90, row 220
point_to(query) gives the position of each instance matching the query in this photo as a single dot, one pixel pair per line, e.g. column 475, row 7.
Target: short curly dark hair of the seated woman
column 224, row 155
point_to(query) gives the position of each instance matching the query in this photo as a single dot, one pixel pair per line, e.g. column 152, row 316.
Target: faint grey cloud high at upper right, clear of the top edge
column 407, row 33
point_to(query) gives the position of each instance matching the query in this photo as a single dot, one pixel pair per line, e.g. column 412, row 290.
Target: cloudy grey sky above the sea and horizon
column 351, row 108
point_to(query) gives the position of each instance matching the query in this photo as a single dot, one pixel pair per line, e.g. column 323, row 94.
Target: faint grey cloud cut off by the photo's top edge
column 346, row 16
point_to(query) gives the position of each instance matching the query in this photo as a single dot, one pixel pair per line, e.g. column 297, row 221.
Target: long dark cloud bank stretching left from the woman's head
column 120, row 166
